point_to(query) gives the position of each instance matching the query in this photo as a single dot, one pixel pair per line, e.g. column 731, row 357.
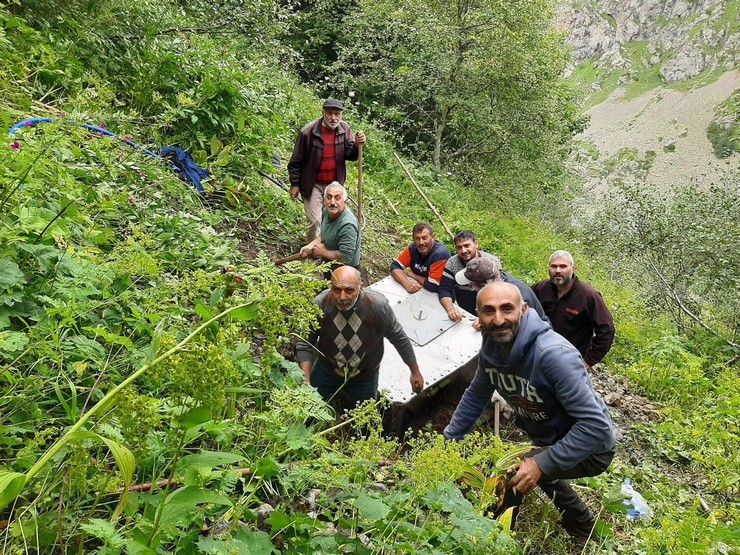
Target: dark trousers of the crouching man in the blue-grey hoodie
column 556, row 487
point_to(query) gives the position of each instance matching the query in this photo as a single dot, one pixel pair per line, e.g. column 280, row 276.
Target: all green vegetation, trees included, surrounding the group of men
column 146, row 336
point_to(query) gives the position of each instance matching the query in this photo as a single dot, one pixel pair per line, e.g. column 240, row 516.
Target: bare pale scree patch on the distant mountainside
column 661, row 118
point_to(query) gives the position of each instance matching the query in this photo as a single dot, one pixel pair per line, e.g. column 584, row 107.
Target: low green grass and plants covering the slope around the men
column 138, row 247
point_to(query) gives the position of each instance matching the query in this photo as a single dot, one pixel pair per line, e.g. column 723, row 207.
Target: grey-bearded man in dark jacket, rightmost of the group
column 576, row 310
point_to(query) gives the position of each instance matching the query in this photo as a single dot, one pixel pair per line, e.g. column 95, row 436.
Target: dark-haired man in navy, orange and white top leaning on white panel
column 421, row 264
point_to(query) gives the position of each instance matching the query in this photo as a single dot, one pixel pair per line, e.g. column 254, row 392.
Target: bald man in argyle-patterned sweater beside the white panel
column 348, row 344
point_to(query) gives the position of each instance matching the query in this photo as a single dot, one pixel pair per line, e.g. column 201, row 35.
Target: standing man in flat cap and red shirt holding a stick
column 318, row 159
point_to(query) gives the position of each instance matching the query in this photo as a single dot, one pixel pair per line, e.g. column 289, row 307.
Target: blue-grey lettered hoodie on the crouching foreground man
column 545, row 381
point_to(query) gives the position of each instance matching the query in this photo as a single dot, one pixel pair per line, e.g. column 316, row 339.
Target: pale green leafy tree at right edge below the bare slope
column 682, row 249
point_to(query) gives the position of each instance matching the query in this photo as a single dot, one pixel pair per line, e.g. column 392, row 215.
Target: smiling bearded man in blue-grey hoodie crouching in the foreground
column 542, row 377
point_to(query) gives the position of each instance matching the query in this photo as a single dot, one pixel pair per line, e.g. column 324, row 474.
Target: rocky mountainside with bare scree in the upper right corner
column 656, row 73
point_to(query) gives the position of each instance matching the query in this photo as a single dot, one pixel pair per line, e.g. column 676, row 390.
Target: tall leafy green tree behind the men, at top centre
column 461, row 82
